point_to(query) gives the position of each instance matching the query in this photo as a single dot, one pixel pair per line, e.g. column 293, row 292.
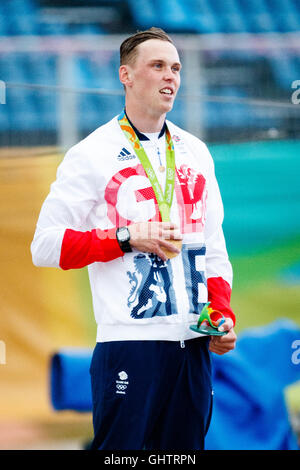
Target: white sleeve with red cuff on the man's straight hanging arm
column 218, row 267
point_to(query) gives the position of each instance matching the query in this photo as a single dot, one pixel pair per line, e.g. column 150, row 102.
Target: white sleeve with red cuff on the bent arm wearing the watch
column 59, row 240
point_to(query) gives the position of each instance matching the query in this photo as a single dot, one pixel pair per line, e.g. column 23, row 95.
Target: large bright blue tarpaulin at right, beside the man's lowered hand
column 250, row 411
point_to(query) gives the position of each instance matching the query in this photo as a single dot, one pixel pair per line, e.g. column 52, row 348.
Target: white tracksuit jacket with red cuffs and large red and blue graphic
column 101, row 185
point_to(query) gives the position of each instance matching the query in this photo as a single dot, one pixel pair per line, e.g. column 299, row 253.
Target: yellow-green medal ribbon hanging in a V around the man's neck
column 164, row 200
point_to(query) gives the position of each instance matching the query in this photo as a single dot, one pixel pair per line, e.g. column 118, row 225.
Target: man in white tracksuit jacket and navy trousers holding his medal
column 137, row 201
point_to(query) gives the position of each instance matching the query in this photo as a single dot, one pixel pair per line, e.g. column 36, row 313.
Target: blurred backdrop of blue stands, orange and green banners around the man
column 240, row 93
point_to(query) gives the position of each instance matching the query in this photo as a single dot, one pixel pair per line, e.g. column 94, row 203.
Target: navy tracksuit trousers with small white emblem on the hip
column 152, row 395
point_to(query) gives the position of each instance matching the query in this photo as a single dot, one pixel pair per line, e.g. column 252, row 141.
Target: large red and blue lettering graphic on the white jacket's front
column 151, row 282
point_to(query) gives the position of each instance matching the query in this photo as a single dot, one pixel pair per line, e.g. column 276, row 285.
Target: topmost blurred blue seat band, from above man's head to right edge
column 253, row 16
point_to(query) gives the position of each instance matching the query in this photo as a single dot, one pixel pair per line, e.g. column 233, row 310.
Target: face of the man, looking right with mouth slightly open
column 155, row 76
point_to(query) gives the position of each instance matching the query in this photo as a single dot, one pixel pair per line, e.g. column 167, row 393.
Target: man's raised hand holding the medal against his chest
column 151, row 237
